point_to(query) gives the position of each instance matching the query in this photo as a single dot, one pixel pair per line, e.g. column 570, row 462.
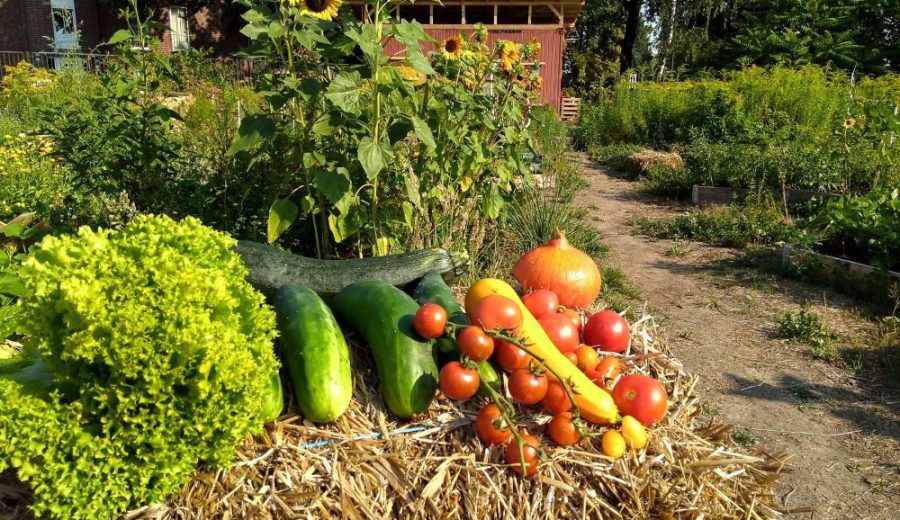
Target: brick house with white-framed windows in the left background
column 39, row 26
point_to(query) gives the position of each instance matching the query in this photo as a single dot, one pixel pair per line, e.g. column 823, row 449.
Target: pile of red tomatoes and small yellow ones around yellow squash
column 640, row 398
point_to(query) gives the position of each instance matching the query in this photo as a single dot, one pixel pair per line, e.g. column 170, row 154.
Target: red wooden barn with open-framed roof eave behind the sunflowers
column 515, row 20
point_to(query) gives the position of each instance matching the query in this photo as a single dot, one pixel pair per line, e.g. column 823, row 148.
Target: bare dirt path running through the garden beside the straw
column 719, row 317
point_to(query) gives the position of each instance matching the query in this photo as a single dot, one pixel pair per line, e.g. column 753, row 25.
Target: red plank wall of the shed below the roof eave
column 552, row 46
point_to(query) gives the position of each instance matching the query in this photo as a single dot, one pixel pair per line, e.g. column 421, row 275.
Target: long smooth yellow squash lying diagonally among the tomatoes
column 594, row 404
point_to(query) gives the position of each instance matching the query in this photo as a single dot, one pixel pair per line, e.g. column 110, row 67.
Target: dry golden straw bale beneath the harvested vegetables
column 368, row 465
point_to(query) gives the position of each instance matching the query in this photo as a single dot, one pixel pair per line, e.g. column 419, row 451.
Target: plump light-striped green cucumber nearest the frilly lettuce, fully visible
column 315, row 353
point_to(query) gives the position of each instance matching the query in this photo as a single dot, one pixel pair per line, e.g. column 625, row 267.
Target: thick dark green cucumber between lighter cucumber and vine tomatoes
column 382, row 314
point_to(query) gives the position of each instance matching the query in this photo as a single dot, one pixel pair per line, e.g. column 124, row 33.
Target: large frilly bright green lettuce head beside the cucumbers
column 148, row 354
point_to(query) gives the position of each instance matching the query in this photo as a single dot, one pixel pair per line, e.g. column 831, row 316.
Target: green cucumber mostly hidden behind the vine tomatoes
column 433, row 289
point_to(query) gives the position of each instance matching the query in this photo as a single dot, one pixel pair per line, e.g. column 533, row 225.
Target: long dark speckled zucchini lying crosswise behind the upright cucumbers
column 272, row 268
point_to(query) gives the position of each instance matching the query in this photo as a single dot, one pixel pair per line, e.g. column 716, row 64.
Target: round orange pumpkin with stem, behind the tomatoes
column 562, row 268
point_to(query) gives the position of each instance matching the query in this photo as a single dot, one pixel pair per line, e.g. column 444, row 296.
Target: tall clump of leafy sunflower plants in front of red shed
column 381, row 149
